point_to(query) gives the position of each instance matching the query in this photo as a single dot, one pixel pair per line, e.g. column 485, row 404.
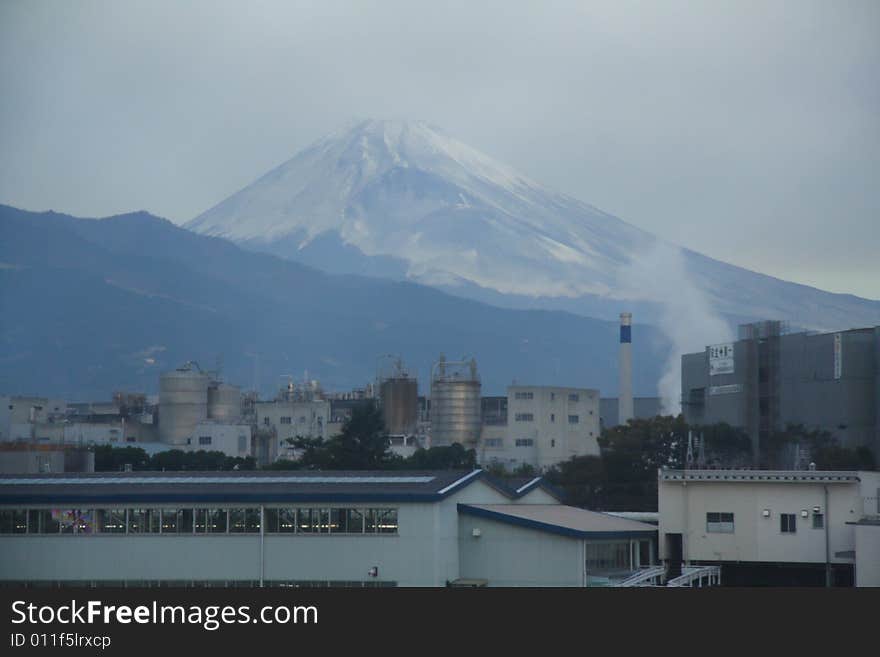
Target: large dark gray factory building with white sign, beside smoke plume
column 769, row 378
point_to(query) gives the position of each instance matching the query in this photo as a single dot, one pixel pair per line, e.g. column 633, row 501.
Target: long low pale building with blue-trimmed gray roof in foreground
column 307, row 529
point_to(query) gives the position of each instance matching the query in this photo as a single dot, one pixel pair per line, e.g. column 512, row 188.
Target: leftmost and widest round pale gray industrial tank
column 183, row 403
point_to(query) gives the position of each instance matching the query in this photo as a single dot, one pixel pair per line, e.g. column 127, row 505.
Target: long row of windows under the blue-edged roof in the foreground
column 199, row 521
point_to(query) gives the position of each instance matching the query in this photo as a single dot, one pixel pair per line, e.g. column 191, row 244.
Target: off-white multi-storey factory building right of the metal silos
column 542, row 426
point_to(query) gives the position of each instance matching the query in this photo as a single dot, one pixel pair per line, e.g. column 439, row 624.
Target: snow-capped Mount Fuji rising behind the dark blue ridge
column 404, row 200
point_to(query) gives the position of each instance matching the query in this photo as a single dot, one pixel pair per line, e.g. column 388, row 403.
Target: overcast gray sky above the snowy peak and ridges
column 749, row 131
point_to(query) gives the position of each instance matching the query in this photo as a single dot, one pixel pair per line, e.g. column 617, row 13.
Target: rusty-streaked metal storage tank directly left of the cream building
column 455, row 403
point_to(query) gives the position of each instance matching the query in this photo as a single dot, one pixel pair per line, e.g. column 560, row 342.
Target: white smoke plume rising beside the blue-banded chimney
column 659, row 275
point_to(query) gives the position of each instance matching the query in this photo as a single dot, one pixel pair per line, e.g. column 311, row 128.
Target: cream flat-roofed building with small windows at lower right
column 773, row 528
